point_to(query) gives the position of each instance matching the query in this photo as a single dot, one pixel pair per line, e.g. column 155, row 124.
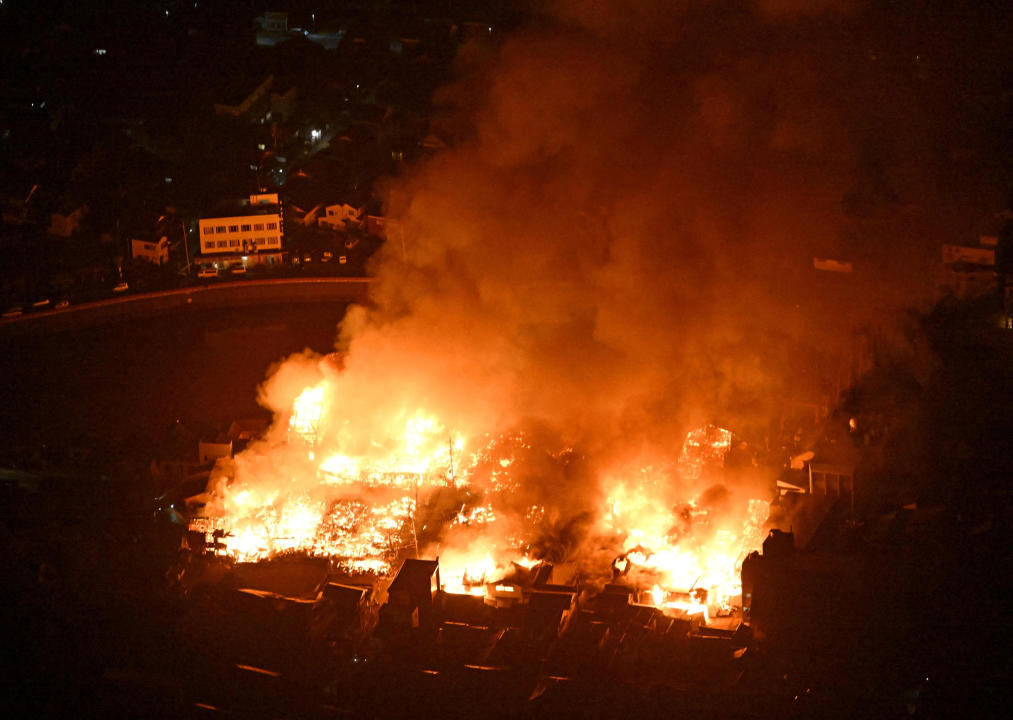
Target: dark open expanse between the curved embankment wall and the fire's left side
column 129, row 381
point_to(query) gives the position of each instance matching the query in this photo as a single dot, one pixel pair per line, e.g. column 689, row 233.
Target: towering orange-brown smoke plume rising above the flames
column 613, row 246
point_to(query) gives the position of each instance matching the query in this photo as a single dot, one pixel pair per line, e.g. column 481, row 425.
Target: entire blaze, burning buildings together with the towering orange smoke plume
column 567, row 392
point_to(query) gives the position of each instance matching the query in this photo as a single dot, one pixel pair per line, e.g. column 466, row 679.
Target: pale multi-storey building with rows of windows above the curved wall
column 256, row 231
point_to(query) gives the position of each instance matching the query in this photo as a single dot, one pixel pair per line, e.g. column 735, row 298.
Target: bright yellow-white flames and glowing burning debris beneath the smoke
column 470, row 501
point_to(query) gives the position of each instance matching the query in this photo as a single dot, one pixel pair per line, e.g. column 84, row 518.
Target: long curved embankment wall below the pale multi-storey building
column 212, row 295
